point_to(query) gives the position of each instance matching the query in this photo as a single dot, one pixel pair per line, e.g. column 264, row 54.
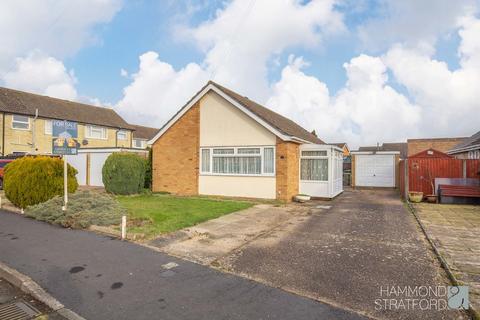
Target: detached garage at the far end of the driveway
column 375, row 169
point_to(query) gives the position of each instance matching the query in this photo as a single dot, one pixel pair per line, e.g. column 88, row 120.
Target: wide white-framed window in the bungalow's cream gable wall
column 240, row 161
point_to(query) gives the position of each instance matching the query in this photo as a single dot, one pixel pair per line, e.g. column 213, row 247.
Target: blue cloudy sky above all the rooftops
column 354, row 70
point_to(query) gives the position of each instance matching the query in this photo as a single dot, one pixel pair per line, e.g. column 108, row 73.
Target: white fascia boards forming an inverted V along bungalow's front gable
column 229, row 99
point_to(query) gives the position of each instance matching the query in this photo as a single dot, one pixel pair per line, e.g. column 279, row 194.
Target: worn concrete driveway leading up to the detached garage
column 342, row 255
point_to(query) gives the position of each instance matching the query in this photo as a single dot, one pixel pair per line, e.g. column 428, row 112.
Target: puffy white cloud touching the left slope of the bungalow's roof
column 158, row 90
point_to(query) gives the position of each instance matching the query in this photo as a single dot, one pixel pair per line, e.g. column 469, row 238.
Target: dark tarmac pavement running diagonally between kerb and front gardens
column 101, row 278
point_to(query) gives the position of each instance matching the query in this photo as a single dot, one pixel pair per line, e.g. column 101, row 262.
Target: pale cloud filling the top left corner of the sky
column 57, row 28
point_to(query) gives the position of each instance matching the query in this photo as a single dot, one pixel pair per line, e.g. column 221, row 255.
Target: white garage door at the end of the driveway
column 375, row 170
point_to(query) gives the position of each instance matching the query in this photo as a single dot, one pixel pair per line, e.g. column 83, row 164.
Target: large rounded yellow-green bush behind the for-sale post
column 32, row 180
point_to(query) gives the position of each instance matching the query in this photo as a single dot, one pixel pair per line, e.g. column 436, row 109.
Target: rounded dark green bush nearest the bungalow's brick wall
column 124, row 173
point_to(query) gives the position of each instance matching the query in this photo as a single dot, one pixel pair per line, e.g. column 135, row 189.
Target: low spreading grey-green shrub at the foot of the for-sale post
column 84, row 209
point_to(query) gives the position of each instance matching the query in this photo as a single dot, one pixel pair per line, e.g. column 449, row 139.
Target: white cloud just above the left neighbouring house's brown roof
column 42, row 74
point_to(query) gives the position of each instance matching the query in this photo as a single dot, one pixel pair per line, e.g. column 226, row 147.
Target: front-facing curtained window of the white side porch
column 314, row 165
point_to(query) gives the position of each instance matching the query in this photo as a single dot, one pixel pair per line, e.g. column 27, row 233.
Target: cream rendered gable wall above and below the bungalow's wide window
column 222, row 124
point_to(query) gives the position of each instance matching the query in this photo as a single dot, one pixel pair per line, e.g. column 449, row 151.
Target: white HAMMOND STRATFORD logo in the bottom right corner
column 422, row 298
